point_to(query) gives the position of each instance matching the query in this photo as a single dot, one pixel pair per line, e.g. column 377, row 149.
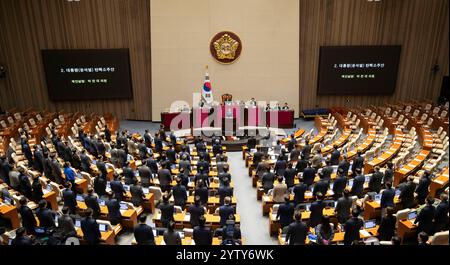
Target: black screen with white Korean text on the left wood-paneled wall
column 88, row 74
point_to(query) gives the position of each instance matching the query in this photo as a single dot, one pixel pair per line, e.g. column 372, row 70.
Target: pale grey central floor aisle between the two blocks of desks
column 254, row 227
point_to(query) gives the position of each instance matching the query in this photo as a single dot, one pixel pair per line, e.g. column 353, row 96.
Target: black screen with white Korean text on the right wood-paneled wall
column 357, row 70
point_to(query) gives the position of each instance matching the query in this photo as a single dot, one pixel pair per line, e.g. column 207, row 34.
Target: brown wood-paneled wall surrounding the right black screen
column 420, row 26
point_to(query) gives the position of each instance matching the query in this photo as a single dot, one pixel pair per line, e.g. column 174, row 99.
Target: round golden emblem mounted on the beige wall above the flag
column 226, row 47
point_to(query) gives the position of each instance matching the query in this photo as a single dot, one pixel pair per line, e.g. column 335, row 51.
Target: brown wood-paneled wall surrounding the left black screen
column 27, row 26
